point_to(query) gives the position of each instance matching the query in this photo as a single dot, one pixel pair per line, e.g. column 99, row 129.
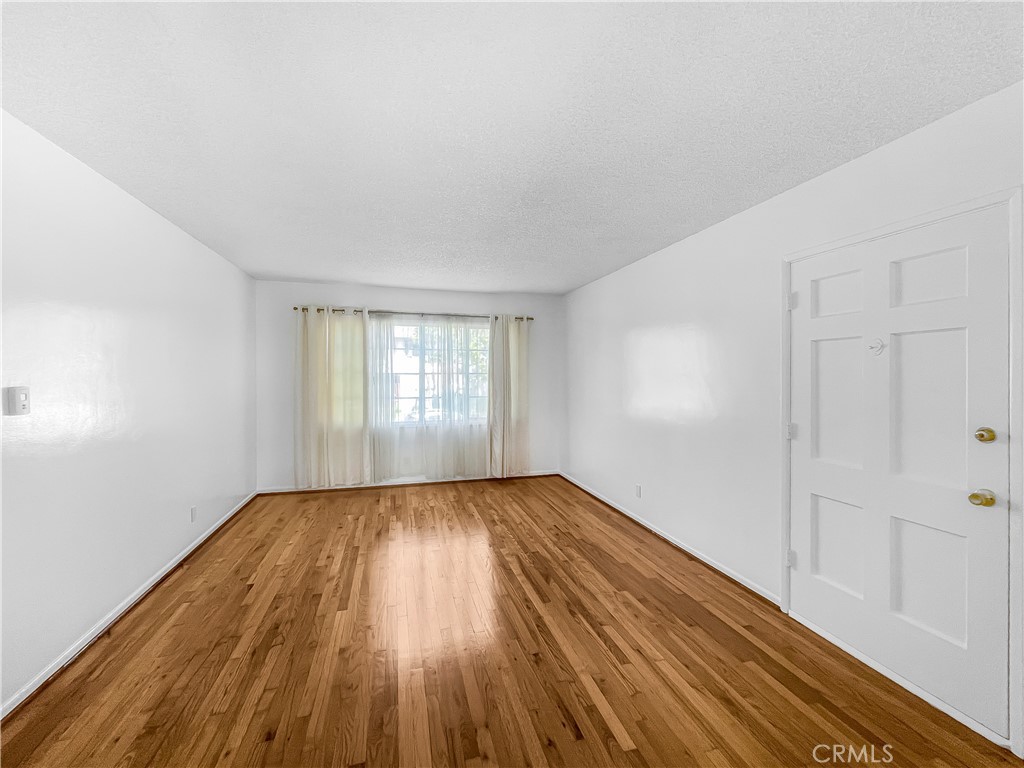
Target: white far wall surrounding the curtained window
column 276, row 355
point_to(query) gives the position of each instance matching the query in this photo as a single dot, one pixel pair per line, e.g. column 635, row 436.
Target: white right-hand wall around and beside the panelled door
column 705, row 444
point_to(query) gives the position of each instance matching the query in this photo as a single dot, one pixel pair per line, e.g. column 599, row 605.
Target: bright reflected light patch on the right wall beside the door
column 667, row 371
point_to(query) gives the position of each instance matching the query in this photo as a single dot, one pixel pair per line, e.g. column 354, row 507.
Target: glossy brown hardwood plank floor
column 505, row 623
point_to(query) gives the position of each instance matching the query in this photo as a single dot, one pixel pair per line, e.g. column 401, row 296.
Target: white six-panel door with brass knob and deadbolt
column 901, row 365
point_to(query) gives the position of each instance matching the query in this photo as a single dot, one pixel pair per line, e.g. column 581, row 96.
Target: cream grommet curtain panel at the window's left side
column 331, row 406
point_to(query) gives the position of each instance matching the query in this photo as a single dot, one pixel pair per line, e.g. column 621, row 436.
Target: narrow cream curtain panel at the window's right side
column 508, row 415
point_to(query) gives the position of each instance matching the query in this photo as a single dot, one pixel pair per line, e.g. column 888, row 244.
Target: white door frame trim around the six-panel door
column 1012, row 200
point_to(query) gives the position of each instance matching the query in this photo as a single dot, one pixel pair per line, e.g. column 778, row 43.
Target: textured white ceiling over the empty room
column 483, row 147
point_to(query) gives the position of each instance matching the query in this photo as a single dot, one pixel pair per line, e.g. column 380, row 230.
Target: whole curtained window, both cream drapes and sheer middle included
column 385, row 396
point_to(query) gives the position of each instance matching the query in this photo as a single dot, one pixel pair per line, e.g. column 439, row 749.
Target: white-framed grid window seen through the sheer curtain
column 440, row 370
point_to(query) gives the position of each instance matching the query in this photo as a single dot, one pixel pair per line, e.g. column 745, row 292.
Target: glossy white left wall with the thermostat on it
column 137, row 343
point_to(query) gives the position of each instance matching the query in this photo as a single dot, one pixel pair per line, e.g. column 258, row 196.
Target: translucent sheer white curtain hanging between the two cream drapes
column 428, row 395
